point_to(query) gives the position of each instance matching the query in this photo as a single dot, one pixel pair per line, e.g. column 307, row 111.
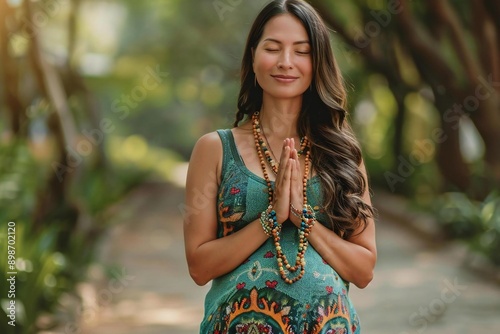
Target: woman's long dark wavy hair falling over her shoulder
column 336, row 154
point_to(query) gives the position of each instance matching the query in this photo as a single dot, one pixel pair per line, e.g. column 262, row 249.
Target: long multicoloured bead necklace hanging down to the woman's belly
column 268, row 217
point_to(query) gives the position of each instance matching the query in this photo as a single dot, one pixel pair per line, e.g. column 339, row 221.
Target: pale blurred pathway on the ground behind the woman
column 420, row 286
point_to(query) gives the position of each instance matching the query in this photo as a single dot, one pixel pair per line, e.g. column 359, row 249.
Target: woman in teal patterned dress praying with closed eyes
column 289, row 175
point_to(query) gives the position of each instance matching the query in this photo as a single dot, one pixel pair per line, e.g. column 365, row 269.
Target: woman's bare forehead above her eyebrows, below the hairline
column 285, row 27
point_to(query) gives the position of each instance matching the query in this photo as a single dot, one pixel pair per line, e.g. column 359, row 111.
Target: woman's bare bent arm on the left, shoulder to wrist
column 209, row 257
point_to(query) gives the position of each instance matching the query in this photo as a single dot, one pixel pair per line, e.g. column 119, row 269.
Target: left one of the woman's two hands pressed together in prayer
column 281, row 200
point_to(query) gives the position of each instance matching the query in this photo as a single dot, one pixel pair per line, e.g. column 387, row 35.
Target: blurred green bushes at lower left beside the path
column 51, row 258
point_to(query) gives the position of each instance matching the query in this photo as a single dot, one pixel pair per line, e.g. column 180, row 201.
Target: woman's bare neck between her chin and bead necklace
column 279, row 117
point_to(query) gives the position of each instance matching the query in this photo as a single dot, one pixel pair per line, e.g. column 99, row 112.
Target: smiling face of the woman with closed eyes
column 282, row 59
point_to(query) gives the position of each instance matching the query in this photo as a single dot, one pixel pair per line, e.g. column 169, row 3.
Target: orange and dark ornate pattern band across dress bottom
column 266, row 310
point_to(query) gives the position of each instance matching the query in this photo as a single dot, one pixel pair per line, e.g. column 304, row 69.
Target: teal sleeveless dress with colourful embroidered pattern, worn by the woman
column 253, row 298
